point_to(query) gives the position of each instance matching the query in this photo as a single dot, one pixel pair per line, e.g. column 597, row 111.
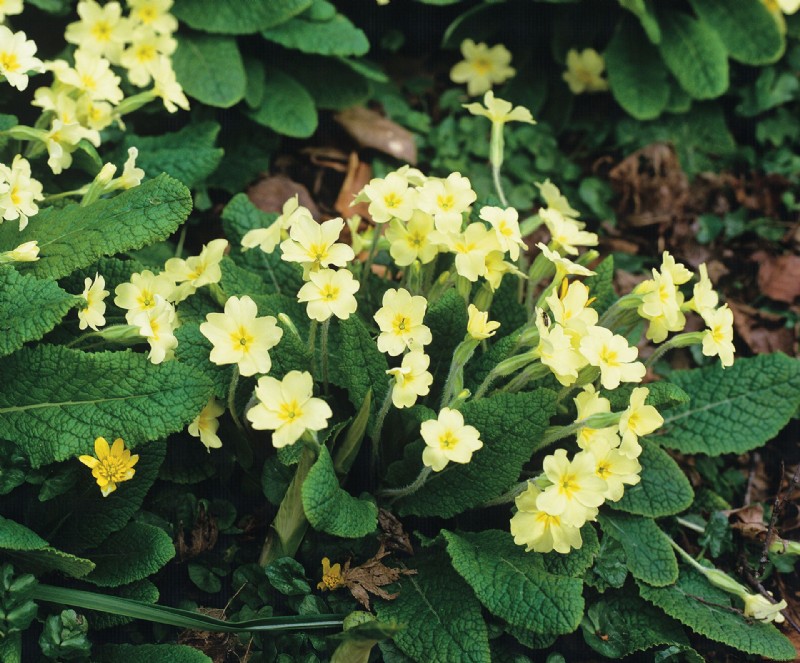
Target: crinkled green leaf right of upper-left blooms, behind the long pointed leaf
column 188, row 155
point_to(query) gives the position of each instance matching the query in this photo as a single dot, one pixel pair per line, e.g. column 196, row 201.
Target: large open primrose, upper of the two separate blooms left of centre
column 241, row 338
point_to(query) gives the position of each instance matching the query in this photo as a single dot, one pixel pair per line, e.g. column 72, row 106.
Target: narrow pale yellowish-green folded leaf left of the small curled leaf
column 289, row 526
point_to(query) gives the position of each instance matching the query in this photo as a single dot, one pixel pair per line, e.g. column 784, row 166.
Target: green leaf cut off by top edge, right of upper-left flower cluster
column 232, row 17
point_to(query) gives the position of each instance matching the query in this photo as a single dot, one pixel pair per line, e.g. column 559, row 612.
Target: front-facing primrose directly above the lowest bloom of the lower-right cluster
column 576, row 490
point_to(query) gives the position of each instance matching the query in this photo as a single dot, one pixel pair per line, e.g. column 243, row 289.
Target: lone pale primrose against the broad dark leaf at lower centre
column 447, row 439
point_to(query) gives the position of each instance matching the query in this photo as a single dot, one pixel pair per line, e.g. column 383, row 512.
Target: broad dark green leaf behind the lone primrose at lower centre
column 510, row 427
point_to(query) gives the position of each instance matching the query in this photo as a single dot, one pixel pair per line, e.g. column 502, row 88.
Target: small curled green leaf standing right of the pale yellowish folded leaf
column 331, row 509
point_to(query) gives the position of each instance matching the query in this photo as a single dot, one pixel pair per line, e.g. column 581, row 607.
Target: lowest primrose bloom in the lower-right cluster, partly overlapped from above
column 539, row 531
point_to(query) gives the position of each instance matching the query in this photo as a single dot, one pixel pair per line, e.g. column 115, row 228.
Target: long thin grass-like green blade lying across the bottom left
column 186, row 619
